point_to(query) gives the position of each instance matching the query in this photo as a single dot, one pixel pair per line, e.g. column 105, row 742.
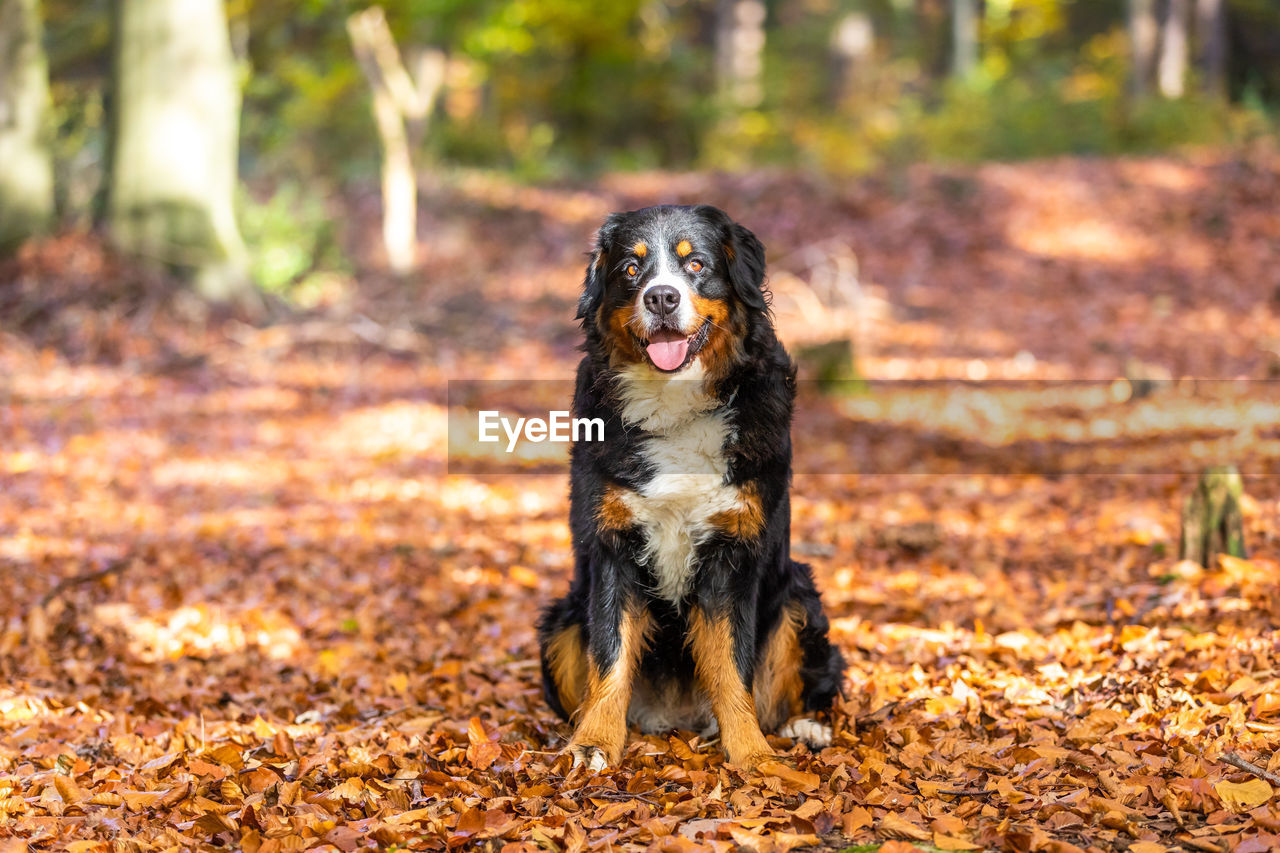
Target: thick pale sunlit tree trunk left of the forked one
column 175, row 143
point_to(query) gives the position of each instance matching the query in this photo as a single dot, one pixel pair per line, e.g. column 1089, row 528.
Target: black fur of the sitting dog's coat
column 753, row 580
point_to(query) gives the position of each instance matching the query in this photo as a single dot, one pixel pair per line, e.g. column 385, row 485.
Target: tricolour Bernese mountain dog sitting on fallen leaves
column 687, row 610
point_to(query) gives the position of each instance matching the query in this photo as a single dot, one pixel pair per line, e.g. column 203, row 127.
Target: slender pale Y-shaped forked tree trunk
column 403, row 107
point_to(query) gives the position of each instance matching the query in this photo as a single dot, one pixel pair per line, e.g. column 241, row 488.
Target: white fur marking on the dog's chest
column 689, row 485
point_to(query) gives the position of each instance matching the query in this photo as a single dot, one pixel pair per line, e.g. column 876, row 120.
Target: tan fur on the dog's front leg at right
column 712, row 641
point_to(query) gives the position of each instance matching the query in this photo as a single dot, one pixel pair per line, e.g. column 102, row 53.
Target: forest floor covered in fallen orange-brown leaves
column 246, row 605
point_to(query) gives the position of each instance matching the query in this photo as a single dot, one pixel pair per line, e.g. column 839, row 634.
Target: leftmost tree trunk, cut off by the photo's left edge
column 26, row 162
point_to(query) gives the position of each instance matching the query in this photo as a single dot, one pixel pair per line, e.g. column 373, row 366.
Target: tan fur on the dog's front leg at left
column 604, row 714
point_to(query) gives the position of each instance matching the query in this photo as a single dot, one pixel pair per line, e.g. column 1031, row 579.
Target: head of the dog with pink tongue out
column 670, row 286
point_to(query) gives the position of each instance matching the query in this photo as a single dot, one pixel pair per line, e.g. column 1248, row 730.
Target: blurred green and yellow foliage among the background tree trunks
column 550, row 89
